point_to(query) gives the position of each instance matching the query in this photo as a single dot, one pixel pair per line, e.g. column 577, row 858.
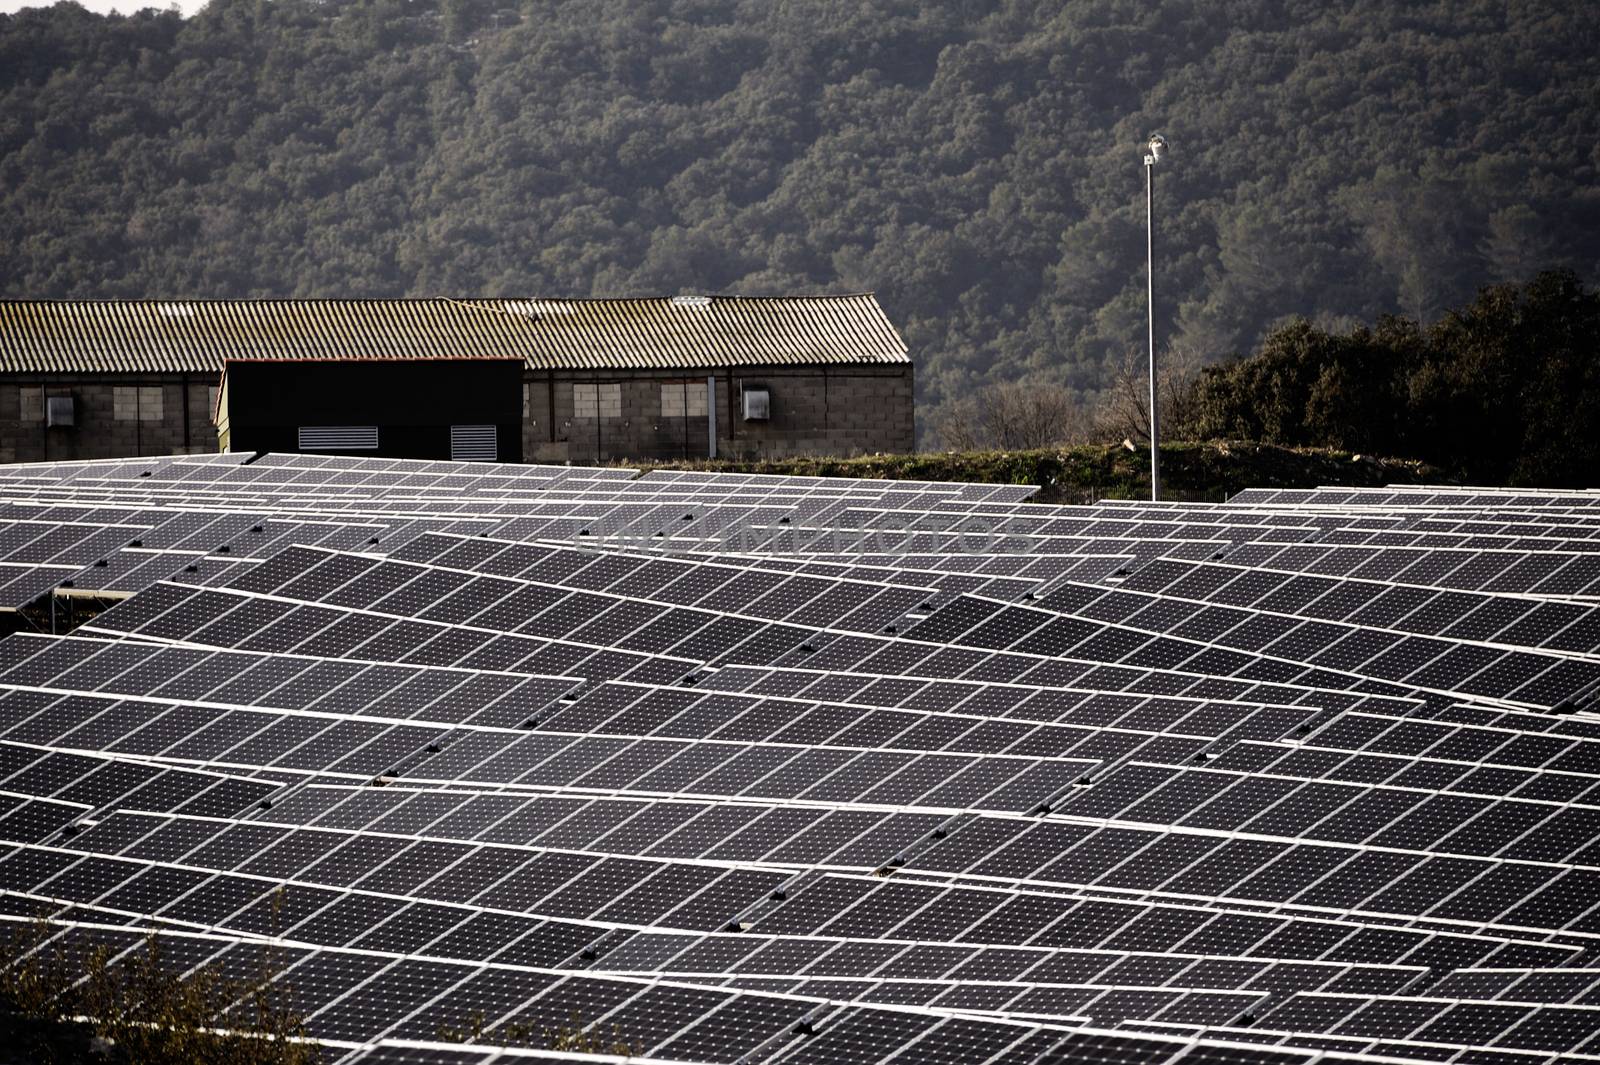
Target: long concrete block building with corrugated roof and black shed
column 601, row 380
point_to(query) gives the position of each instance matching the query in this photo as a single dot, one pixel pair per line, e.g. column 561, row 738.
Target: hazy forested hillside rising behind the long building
column 975, row 162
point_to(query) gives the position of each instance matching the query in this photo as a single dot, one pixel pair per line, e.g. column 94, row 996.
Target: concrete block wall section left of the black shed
column 185, row 423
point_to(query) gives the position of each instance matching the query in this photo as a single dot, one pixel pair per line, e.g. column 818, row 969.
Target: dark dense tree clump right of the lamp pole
column 1503, row 391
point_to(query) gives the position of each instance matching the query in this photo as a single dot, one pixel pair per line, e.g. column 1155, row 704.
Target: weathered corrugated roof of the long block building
column 684, row 333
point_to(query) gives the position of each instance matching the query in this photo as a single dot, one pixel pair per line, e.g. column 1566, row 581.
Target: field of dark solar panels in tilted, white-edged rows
column 732, row 768
